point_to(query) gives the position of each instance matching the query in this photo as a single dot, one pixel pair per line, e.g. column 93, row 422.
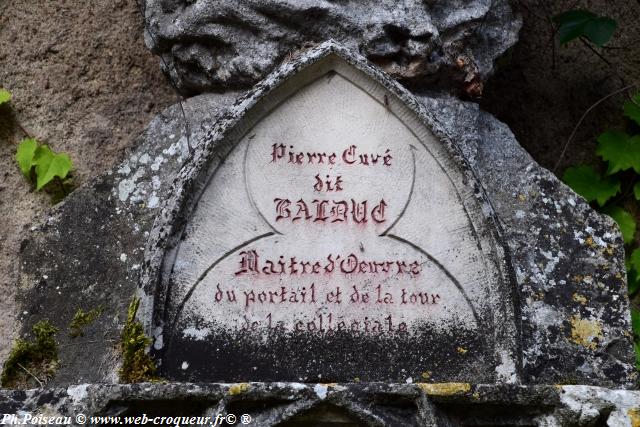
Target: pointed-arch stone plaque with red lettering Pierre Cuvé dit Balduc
column 326, row 231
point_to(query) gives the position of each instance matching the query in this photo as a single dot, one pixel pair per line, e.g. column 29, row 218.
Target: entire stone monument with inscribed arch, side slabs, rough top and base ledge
column 322, row 244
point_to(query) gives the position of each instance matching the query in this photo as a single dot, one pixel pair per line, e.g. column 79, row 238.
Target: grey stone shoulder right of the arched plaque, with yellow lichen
column 568, row 259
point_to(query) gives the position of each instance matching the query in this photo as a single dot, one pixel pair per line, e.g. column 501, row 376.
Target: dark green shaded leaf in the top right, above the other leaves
column 582, row 23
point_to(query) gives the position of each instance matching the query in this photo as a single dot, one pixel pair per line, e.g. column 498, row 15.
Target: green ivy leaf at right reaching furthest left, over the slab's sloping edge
column 589, row 184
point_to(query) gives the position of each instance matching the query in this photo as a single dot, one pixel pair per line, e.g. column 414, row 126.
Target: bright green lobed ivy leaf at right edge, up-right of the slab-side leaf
column 620, row 150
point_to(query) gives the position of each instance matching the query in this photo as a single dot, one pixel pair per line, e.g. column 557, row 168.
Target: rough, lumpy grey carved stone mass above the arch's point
column 221, row 45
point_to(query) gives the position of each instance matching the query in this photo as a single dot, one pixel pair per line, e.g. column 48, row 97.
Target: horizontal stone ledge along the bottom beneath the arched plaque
column 353, row 404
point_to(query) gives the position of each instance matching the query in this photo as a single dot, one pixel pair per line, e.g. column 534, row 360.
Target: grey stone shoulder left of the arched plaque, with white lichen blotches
column 88, row 251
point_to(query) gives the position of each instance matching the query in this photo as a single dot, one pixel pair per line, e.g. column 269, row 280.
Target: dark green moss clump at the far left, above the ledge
column 33, row 362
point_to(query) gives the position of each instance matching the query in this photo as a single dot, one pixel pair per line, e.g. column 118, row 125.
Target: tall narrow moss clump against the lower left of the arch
column 137, row 365
